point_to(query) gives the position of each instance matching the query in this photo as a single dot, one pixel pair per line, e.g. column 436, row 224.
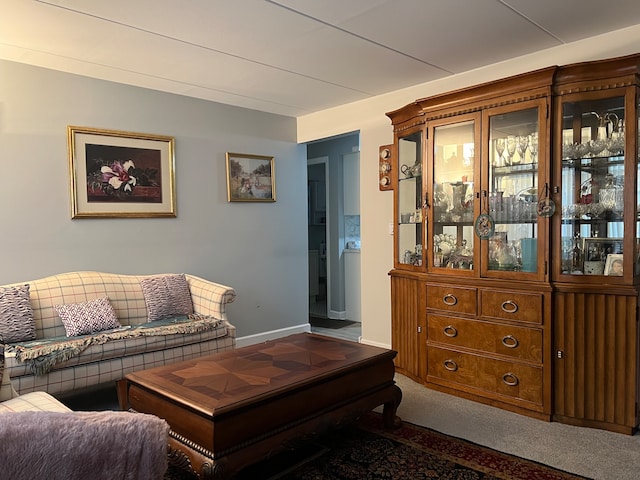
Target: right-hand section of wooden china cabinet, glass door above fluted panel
column 595, row 238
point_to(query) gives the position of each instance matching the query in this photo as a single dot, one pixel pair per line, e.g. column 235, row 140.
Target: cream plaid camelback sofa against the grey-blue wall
column 111, row 360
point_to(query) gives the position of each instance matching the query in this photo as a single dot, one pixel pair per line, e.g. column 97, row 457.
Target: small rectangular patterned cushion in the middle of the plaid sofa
column 88, row 317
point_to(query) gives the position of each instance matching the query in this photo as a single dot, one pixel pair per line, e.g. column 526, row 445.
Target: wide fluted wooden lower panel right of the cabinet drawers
column 596, row 365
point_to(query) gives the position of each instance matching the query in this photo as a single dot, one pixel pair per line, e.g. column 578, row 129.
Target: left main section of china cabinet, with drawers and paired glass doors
column 470, row 287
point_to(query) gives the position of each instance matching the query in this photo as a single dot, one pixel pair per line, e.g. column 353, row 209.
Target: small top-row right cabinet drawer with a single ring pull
column 524, row 307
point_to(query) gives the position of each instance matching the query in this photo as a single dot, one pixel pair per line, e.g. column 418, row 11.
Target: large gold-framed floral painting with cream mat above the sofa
column 120, row 174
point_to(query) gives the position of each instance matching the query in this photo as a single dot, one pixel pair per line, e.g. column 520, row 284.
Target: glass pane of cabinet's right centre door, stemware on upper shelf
column 514, row 190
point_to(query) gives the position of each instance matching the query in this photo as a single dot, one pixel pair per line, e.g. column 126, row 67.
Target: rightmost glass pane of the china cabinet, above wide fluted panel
column 593, row 187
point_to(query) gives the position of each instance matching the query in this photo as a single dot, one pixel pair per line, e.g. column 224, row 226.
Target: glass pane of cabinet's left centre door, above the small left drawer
column 454, row 174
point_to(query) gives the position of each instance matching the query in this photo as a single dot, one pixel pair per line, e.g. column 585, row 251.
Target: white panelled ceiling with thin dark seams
column 292, row 57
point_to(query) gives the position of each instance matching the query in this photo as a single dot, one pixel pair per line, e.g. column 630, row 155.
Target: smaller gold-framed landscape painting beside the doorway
column 250, row 178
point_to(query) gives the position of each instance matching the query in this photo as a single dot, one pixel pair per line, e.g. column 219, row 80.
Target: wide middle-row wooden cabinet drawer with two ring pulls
column 514, row 341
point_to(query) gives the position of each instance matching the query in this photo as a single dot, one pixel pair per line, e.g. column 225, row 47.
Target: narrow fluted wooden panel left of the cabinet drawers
column 406, row 318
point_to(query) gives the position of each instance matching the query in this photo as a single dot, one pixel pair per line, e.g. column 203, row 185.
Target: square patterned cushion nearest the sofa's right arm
column 166, row 296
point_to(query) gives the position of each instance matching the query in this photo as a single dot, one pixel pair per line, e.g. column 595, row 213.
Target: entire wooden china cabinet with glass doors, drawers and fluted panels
column 514, row 202
